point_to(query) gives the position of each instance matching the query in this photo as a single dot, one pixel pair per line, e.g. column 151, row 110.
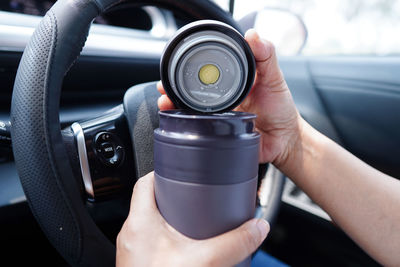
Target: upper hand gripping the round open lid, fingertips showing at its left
column 277, row 121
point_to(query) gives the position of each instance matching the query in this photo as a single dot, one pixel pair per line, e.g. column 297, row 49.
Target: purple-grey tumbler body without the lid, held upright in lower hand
column 206, row 169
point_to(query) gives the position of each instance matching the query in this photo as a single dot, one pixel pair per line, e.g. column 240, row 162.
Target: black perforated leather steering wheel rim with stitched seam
column 41, row 159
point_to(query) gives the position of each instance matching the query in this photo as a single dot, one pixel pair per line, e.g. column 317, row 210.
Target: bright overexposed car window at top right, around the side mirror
column 340, row 27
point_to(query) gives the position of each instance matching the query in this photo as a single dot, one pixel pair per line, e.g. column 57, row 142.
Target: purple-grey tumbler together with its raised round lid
column 205, row 155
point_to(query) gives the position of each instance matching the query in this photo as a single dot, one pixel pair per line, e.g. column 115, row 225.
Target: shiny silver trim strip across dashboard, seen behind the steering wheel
column 103, row 40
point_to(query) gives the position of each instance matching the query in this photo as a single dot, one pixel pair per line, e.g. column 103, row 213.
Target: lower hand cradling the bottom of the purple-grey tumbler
column 146, row 239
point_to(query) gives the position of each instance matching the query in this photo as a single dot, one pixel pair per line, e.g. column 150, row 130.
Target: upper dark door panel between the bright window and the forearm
column 359, row 100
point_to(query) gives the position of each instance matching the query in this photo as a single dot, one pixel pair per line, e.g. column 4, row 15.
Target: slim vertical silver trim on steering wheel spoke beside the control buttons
column 83, row 159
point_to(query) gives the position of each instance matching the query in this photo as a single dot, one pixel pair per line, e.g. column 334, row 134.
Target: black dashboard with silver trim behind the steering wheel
column 123, row 48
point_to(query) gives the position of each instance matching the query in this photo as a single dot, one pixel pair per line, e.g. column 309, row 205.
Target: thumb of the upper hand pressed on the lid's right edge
column 269, row 74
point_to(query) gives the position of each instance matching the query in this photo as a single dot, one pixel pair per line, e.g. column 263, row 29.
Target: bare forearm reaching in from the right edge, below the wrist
column 363, row 201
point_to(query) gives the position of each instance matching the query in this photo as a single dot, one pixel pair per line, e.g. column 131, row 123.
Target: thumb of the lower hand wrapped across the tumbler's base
column 234, row 246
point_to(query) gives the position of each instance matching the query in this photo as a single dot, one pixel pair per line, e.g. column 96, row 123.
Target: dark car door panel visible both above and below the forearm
column 356, row 102
